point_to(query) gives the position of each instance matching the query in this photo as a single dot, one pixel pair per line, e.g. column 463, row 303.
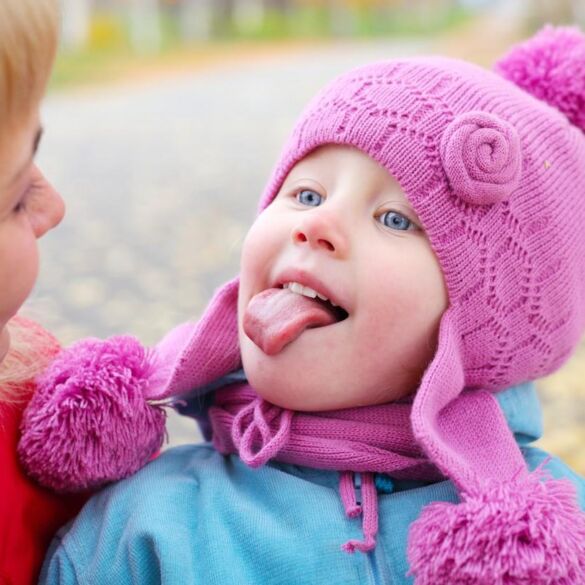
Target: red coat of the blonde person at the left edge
column 29, row 514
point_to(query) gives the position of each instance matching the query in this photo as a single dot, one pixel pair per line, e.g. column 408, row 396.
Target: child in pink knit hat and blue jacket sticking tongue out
column 418, row 258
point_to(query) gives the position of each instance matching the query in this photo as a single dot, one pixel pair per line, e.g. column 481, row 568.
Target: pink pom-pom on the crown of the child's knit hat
column 551, row 67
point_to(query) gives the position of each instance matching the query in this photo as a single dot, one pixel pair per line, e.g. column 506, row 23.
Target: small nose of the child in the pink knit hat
column 321, row 231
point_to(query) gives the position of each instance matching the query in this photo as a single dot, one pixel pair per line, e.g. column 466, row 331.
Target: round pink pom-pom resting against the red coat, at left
column 88, row 422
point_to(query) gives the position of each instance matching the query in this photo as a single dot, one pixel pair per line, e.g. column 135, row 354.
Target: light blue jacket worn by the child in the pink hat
column 193, row 516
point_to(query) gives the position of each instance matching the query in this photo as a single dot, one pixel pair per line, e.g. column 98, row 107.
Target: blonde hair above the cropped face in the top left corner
column 28, row 43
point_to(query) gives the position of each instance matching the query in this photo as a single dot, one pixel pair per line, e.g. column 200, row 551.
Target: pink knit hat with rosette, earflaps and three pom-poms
column 494, row 165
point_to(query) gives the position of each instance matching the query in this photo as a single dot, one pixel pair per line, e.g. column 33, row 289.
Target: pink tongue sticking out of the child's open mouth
column 277, row 316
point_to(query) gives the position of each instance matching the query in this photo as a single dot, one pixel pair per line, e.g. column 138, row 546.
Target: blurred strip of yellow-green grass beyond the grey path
column 109, row 55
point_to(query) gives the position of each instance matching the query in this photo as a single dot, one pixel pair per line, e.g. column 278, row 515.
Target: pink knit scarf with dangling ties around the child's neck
column 367, row 440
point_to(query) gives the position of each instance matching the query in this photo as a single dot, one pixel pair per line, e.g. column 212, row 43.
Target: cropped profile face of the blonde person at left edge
column 29, row 207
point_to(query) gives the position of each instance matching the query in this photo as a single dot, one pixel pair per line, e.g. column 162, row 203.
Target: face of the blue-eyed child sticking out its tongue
column 341, row 225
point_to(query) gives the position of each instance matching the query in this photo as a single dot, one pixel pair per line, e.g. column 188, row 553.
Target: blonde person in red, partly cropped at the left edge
column 29, row 207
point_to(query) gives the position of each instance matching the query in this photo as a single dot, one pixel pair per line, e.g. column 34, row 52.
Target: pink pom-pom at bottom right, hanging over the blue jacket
column 525, row 532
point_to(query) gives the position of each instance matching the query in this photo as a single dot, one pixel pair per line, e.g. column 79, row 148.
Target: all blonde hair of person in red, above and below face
column 28, row 43
